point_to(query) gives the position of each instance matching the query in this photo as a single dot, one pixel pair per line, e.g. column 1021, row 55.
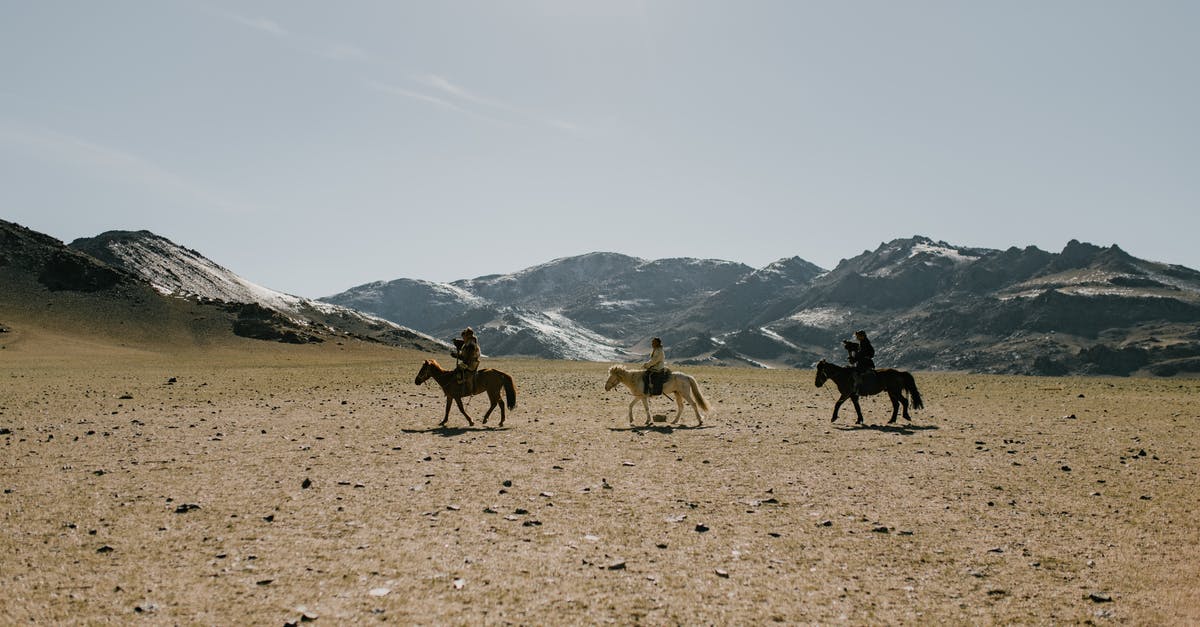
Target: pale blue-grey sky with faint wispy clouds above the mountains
column 313, row 147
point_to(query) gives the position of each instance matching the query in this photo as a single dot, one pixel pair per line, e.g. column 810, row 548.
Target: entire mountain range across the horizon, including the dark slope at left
column 928, row 306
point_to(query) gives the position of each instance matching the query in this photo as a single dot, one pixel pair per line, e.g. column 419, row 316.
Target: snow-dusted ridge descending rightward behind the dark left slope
column 179, row 272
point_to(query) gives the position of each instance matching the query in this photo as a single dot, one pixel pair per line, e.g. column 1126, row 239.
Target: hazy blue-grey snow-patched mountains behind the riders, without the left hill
column 932, row 304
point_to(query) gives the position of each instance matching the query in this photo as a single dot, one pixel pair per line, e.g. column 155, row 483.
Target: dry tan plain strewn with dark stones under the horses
column 272, row 485
